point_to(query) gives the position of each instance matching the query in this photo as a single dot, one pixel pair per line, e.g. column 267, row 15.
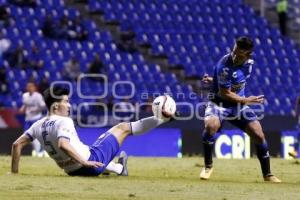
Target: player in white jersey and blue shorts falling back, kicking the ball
column 58, row 136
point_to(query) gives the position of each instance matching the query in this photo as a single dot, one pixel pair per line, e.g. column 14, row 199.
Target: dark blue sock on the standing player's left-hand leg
column 208, row 145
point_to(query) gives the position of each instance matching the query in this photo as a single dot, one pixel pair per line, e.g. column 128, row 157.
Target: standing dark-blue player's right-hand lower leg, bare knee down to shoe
column 254, row 129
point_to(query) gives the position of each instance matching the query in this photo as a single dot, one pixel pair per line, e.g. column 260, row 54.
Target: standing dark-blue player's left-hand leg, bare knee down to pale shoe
column 212, row 124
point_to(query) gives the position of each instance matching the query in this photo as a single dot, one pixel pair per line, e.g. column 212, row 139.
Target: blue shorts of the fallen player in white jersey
column 103, row 150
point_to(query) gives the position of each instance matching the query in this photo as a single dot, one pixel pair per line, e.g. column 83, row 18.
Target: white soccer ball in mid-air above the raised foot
column 163, row 107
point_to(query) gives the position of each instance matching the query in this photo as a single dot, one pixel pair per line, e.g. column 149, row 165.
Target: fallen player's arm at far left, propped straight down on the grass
column 16, row 150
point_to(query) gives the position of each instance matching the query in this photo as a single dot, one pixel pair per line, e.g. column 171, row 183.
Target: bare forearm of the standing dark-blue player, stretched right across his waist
column 228, row 95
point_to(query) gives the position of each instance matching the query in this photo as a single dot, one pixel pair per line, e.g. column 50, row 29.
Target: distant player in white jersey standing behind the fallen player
column 33, row 106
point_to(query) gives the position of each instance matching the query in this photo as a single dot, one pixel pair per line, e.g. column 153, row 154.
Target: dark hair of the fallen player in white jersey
column 54, row 94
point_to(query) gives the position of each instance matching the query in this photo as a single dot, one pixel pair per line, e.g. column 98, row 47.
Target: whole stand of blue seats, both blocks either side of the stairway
column 191, row 33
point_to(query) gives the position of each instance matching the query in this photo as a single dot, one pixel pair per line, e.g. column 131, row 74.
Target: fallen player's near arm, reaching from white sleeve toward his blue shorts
column 67, row 148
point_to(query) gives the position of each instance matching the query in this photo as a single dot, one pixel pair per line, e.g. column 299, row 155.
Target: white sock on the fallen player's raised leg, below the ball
column 143, row 125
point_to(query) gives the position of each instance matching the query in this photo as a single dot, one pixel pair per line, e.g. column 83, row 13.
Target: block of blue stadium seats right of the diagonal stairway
column 196, row 33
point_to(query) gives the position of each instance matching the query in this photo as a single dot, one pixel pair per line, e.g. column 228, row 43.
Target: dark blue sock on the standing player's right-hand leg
column 263, row 156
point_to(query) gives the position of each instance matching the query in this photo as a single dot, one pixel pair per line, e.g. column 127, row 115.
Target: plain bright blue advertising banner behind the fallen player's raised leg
column 159, row 142
